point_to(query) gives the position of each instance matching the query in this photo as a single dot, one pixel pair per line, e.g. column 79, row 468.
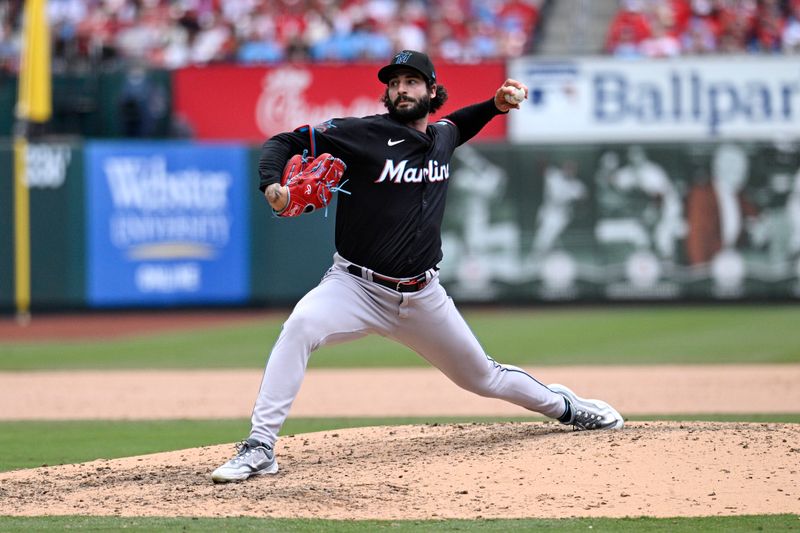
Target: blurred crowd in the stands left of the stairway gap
column 177, row 33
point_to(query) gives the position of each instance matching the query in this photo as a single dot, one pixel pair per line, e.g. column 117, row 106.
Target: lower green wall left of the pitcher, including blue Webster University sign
column 156, row 224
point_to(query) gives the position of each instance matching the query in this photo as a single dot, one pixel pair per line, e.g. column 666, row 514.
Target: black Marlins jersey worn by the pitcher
column 396, row 177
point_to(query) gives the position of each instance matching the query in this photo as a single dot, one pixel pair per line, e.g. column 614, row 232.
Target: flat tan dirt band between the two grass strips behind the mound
column 199, row 394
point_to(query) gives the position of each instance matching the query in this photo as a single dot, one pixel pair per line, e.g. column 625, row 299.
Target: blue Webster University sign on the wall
column 166, row 223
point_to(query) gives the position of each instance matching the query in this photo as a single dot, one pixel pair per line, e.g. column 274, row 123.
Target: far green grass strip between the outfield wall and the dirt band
column 638, row 335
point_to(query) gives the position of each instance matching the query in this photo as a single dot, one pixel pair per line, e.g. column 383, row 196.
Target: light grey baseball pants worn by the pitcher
column 345, row 307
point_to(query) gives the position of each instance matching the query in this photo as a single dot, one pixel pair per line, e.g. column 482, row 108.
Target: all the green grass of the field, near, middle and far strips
column 640, row 335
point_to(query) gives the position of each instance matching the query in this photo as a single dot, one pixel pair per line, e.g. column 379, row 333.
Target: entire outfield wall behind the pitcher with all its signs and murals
column 616, row 180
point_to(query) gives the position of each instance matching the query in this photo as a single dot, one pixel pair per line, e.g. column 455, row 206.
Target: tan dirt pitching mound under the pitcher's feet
column 509, row 470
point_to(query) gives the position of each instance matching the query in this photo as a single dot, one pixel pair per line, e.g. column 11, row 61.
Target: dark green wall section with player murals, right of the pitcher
column 635, row 221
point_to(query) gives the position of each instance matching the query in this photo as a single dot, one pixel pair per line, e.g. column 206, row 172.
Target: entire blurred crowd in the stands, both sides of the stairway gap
column 170, row 34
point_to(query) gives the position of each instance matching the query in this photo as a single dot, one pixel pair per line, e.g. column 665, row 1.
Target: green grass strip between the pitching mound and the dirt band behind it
column 31, row 444
